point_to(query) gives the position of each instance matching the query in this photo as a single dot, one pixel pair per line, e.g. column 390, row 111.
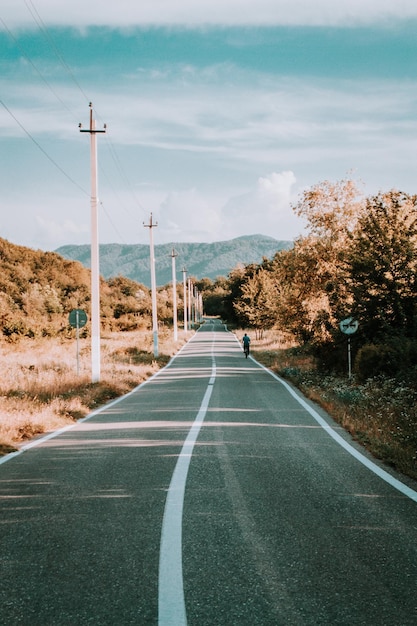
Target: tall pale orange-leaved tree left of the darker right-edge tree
column 314, row 293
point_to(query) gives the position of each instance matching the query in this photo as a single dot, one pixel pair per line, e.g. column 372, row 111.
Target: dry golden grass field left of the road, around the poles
column 40, row 390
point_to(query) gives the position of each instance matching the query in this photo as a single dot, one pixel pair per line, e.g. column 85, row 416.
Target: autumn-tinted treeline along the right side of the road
column 357, row 259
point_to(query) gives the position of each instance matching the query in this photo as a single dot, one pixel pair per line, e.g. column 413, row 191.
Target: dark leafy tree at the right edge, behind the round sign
column 383, row 266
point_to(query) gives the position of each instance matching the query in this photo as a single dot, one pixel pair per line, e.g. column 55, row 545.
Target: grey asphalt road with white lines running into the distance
column 211, row 495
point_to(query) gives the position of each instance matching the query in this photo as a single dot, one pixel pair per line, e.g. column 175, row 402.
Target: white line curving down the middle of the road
column 171, row 599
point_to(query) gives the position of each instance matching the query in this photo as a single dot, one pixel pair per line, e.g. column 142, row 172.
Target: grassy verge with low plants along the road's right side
column 381, row 414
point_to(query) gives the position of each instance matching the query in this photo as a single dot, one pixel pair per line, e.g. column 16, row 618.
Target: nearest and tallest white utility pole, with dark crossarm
column 95, row 271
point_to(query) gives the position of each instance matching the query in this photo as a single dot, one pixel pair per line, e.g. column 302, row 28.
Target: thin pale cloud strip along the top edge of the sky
column 126, row 13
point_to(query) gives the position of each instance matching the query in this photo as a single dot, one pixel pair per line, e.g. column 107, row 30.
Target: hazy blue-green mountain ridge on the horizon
column 202, row 260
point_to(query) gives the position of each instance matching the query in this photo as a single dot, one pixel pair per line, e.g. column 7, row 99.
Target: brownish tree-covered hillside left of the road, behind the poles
column 39, row 289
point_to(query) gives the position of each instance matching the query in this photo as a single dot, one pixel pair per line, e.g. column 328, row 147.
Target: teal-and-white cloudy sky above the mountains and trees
column 218, row 113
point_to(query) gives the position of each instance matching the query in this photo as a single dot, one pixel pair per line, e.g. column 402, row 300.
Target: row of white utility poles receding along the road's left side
column 193, row 306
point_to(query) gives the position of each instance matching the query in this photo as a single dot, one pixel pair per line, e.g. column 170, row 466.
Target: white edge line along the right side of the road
column 373, row 467
